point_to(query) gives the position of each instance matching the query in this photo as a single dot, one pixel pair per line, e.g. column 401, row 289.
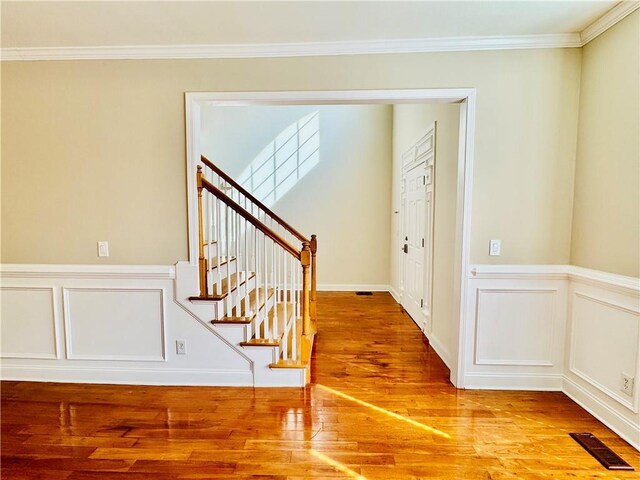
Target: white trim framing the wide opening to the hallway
column 467, row 99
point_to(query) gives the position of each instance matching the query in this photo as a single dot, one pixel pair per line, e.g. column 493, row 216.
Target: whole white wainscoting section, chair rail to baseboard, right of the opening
column 515, row 327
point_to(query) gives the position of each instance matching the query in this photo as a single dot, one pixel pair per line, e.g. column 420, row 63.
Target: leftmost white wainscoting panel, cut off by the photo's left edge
column 33, row 310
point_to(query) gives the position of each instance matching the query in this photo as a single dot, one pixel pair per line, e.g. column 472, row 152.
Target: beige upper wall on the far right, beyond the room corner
column 606, row 213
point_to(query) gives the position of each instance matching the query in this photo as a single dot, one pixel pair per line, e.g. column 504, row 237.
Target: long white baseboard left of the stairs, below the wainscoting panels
column 127, row 376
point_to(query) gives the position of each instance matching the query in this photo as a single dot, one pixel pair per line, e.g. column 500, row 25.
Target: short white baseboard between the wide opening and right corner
column 514, row 381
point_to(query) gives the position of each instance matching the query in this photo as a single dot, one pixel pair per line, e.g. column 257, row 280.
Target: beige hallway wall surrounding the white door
column 410, row 123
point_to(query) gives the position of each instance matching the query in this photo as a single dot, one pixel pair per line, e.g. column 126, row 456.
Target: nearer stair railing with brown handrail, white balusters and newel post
column 259, row 274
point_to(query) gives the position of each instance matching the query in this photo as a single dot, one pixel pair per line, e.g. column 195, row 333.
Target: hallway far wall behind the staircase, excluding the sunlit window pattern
column 345, row 199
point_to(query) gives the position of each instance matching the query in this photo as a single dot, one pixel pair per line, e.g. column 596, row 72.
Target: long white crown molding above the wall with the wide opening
column 424, row 45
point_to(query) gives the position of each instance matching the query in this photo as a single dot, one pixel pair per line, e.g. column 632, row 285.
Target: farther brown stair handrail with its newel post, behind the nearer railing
column 217, row 177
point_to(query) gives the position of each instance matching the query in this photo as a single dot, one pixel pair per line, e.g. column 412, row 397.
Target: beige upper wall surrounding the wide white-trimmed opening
column 95, row 150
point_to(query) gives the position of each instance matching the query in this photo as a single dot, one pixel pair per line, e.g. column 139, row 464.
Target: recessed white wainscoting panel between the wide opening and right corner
column 515, row 327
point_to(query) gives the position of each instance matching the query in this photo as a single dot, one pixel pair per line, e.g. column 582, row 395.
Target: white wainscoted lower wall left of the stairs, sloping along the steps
column 108, row 324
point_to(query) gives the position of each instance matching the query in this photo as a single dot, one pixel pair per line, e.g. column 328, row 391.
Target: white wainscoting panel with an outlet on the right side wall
column 604, row 344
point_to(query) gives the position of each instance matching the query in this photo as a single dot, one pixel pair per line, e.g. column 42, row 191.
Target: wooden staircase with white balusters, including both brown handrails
column 258, row 275
